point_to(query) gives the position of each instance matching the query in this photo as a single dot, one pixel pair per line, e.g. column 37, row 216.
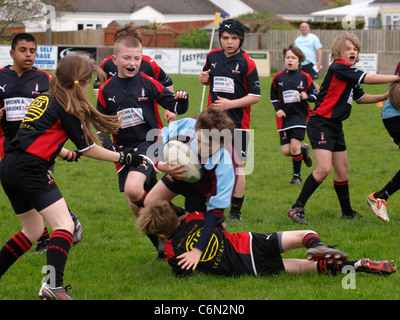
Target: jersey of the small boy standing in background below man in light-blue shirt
column 285, row 94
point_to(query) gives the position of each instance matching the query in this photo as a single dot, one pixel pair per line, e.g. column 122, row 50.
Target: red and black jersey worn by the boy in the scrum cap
column 233, row 78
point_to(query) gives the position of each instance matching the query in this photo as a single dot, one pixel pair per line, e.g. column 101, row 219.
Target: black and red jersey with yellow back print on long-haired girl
column 45, row 129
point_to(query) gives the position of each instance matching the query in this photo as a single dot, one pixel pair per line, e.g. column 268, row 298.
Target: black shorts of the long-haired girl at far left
column 26, row 182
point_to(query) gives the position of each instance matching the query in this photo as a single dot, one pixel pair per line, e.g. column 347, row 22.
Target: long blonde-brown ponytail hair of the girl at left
column 72, row 74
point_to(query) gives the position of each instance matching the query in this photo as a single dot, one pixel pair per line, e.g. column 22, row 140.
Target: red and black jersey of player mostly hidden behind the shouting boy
column 148, row 66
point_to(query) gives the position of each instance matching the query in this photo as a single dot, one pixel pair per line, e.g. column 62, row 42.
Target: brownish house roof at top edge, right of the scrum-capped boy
column 287, row 7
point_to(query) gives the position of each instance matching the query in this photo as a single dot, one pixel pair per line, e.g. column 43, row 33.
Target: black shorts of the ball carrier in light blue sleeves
column 194, row 199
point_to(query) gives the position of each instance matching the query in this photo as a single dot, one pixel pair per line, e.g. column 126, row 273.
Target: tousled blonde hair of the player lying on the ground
column 157, row 218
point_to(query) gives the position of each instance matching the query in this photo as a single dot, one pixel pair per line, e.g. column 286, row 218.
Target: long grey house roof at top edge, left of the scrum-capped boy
column 130, row 6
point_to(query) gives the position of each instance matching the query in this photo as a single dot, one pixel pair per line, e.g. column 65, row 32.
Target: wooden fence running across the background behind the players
column 384, row 42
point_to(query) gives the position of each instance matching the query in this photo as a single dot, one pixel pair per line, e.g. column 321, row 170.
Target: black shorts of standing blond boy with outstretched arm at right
column 326, row 134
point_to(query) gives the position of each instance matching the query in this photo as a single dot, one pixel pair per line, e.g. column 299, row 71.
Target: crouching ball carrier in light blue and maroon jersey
column 210, row 136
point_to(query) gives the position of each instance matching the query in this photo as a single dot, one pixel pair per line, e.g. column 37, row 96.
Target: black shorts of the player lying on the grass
column 267, row 249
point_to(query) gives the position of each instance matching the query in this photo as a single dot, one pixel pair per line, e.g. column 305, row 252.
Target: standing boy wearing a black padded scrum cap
column 234, row 87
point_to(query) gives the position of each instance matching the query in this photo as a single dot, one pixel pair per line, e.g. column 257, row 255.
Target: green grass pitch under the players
column 114, row 261
